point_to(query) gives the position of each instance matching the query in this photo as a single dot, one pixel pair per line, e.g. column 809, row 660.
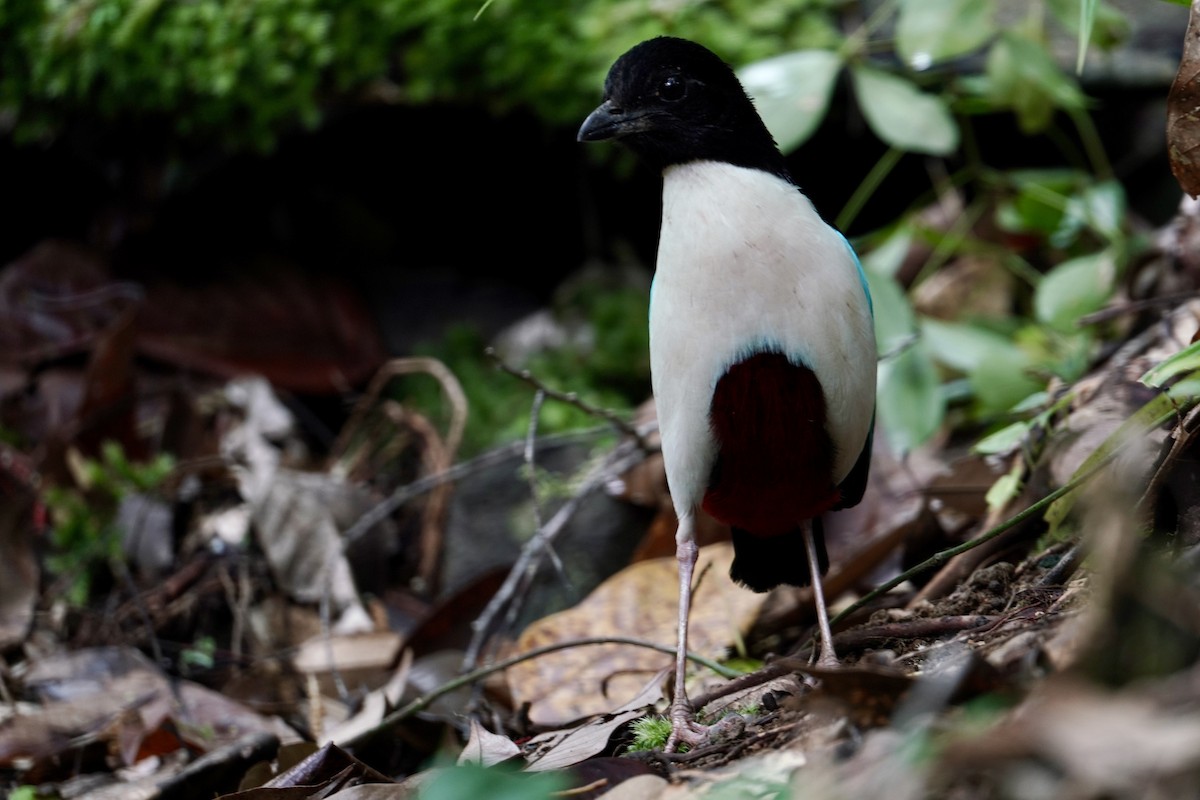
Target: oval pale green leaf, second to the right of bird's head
column 903, row 116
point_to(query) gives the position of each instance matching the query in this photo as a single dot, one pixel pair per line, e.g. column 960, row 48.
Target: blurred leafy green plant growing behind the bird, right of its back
column 1063, row 233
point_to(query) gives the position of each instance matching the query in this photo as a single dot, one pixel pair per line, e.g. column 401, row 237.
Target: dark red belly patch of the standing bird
column 775, row 462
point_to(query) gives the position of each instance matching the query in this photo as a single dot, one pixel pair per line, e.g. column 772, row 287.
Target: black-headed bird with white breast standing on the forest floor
column 761, row 333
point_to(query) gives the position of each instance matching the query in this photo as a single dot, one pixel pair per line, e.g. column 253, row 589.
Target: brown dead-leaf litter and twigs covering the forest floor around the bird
column 254, row 645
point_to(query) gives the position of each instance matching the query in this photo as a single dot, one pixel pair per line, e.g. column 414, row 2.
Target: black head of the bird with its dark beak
column 673, row 101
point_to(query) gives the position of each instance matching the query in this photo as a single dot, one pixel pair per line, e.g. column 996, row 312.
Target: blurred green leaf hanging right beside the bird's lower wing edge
column 911, row 406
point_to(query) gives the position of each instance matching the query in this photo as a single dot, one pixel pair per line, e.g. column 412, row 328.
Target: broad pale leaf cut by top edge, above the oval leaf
column 931, row 32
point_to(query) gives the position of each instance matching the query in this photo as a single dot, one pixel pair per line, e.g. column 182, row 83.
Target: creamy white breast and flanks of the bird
column 746, row 263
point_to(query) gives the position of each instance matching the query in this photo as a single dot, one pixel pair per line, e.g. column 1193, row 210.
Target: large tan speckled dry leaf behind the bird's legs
column 641, row 603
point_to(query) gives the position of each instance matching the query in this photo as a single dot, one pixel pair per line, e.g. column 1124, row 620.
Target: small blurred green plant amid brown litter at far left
column 86, row 538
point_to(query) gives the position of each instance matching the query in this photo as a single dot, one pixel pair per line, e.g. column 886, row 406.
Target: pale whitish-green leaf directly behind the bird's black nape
column 793, row 93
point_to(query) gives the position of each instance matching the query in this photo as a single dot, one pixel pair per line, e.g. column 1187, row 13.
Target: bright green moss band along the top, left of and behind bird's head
column 241, row 74
